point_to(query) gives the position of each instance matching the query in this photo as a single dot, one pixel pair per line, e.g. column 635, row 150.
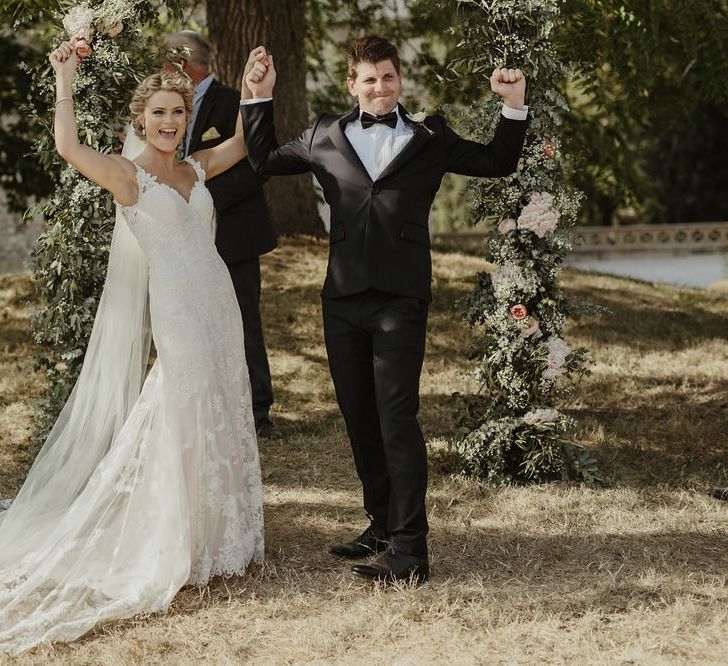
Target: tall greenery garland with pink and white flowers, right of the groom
column 511, row 430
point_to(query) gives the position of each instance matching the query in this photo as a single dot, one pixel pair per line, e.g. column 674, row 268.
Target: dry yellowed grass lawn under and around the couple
column 634, row 573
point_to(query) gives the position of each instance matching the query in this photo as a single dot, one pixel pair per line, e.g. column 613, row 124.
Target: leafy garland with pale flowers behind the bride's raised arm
column 70, row 262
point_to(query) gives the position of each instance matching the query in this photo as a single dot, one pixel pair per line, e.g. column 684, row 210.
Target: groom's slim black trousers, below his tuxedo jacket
column 376, row 343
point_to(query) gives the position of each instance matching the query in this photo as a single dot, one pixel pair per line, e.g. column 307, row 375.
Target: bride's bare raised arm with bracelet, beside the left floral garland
column 112, row 172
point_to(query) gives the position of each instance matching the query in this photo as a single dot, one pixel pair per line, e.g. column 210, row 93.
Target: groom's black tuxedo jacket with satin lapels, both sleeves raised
column 379, row 235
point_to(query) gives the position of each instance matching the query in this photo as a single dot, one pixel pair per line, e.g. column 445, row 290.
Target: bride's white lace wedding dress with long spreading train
column 175, row 497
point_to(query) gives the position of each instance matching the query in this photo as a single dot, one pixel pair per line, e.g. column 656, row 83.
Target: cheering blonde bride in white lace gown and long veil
column 144, row 485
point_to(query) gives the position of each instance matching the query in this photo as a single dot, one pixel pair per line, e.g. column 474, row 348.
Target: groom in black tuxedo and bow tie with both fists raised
column 380, row 171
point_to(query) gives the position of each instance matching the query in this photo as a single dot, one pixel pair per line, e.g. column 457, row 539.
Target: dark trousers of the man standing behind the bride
column 246, row 280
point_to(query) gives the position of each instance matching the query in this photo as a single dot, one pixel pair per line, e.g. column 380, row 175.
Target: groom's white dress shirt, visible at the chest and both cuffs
column 378, row 145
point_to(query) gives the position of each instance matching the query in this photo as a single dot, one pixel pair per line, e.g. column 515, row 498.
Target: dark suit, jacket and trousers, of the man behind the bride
column 244, row 231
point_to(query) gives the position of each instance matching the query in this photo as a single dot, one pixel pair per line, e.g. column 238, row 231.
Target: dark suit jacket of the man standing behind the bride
column 244, row 229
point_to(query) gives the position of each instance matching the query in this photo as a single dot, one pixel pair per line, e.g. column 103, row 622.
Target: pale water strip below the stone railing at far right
column 689, row 270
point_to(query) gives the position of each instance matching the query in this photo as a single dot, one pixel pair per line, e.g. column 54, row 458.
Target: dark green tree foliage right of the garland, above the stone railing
column 647, row 131
